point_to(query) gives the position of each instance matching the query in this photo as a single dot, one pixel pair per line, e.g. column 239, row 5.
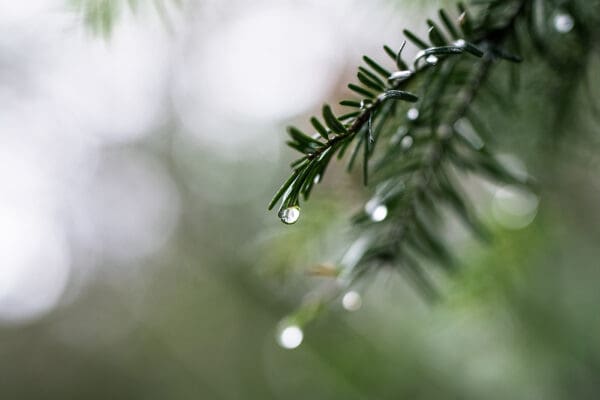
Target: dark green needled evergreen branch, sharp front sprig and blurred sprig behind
column 412, row 127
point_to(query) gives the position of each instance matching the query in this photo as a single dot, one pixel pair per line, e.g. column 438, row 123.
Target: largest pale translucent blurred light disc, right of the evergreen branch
column 514, row 208
